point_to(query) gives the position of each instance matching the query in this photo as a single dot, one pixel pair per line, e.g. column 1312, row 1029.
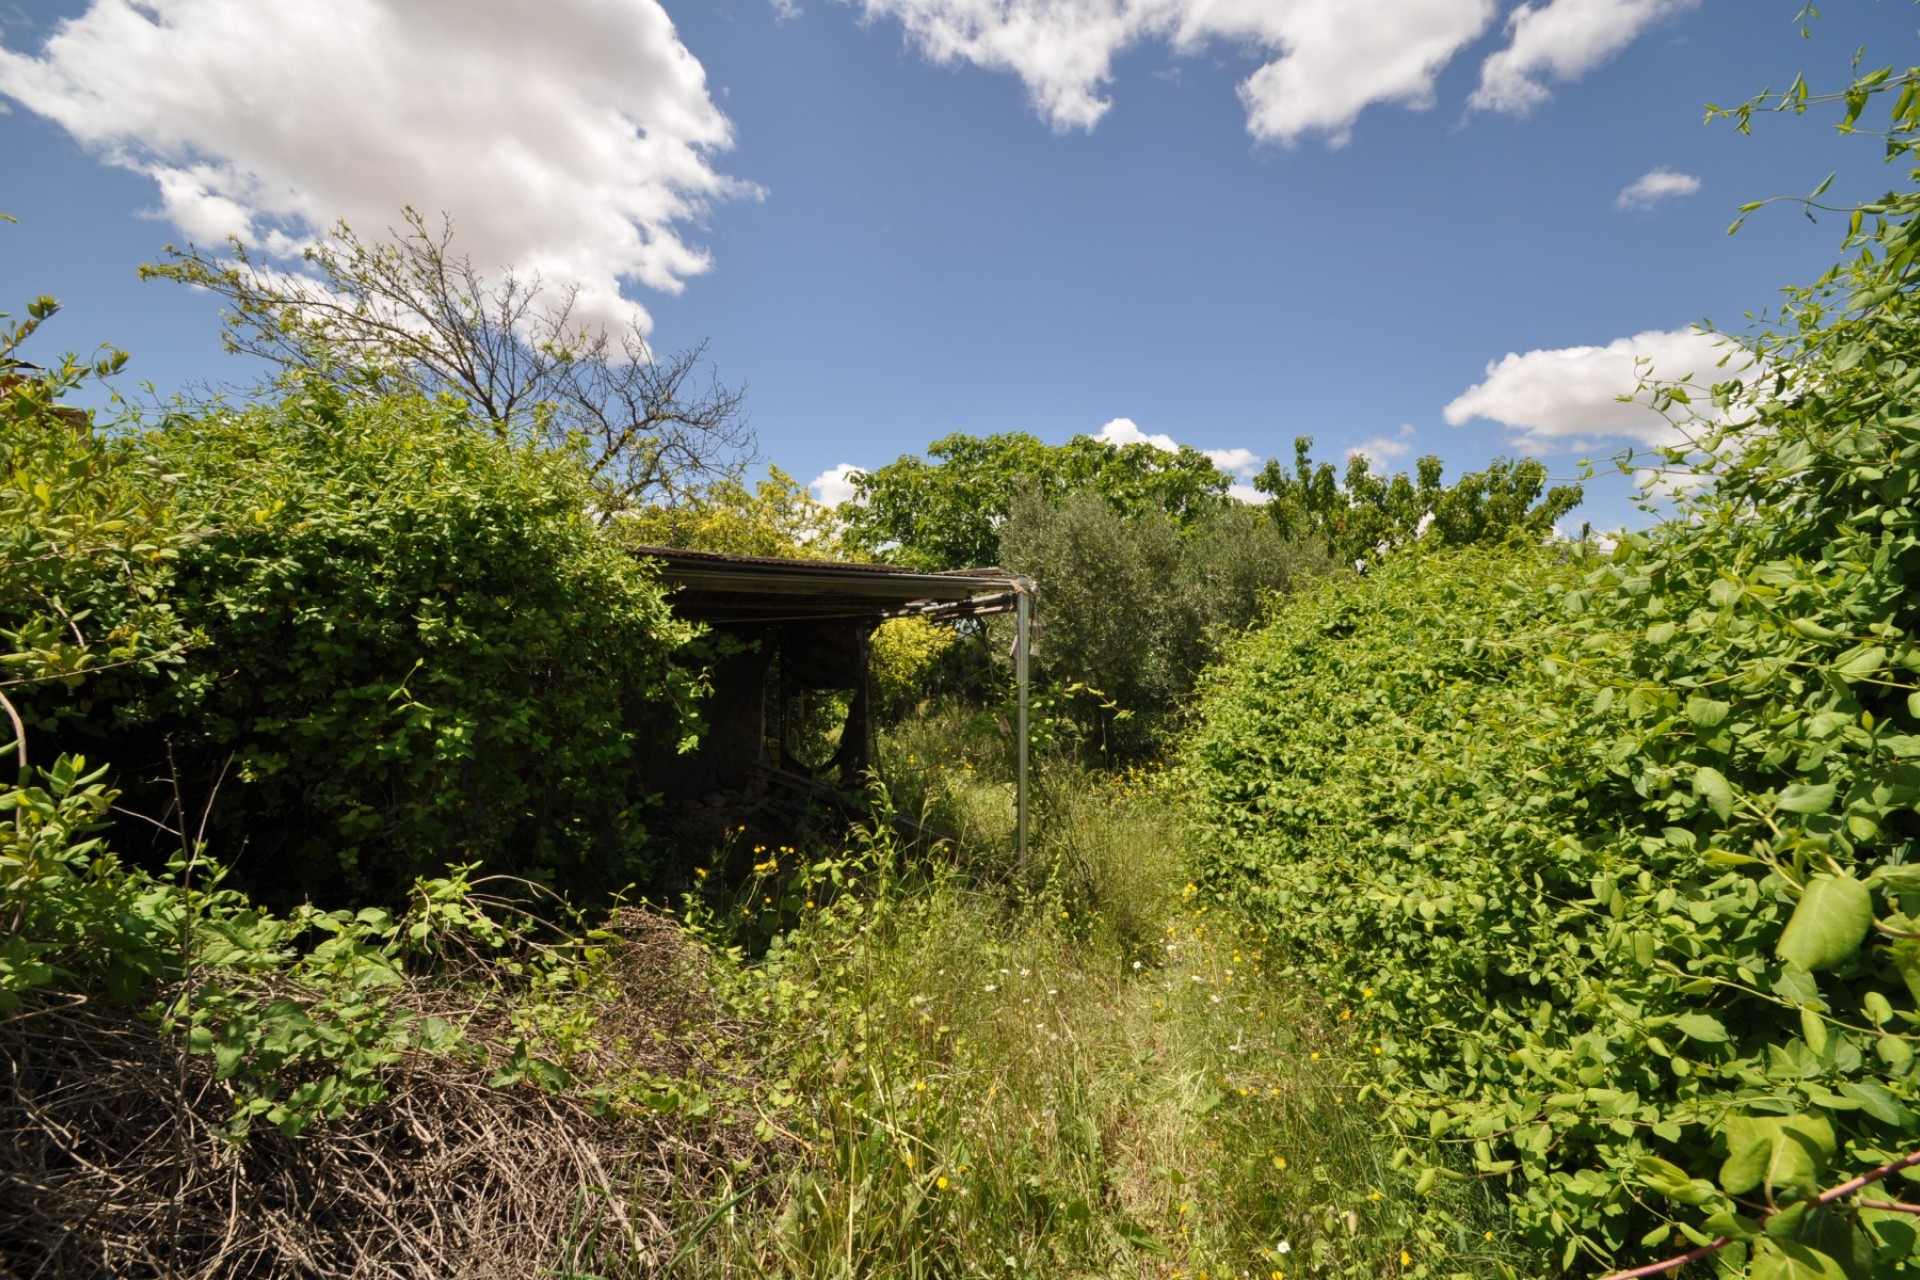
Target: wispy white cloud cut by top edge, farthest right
column 1566, row 39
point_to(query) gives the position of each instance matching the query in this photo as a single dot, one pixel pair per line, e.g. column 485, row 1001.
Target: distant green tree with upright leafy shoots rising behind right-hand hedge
column 1356, row 519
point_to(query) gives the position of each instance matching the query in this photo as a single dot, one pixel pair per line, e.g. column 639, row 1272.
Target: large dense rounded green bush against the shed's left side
column 418, row 650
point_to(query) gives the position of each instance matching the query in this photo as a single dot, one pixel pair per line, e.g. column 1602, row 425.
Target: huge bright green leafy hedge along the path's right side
column 1616, row 857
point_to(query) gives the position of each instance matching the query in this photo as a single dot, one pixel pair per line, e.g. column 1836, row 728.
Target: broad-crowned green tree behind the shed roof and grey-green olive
column 946, row 511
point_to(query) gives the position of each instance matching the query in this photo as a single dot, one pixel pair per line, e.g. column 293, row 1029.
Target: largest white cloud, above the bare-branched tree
column 573, row 141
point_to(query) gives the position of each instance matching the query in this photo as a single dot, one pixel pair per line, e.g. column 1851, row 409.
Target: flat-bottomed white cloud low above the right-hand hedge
column 1568, row 398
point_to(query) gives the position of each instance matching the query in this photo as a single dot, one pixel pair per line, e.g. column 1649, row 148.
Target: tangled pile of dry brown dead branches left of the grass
column 114, row 1158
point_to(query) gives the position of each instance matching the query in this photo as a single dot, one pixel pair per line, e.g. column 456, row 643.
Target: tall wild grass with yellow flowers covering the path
column 1082, row 1078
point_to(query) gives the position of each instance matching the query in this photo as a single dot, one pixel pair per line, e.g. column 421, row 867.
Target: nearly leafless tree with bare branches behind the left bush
column 410, row 312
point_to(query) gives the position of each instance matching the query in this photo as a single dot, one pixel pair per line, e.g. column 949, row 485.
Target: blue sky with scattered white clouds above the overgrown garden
column 1399, row 225
